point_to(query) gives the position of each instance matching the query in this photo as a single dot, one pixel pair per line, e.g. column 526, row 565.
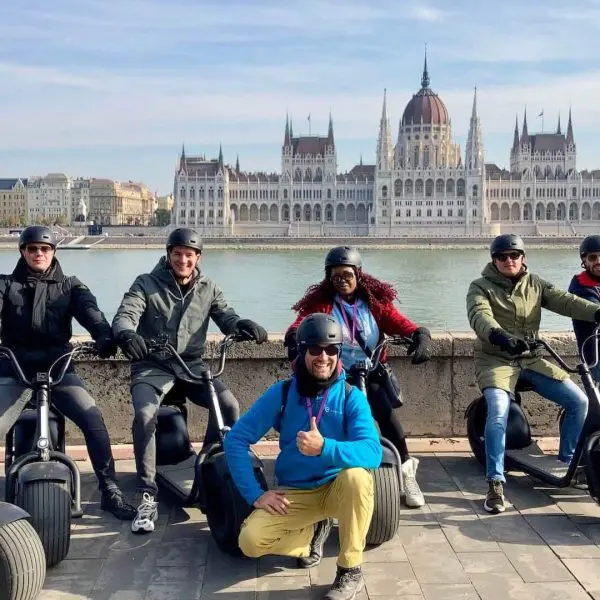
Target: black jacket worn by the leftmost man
column 37, row 312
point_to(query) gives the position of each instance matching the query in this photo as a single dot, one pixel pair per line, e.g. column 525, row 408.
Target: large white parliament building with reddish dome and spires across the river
column 423, row 185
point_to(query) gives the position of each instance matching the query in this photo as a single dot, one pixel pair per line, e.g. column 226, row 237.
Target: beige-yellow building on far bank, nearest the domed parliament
column 120, row 203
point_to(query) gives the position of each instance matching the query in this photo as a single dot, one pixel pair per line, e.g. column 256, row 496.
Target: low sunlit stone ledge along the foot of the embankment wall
column 269, row 448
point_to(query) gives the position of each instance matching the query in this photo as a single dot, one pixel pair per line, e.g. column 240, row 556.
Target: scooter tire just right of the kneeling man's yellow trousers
column 386, row 511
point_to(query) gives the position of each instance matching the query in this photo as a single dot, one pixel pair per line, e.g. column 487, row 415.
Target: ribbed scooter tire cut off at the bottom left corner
column 22, row 561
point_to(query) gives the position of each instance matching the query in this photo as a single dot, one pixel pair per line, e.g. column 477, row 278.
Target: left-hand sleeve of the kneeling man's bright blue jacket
column 251, row 427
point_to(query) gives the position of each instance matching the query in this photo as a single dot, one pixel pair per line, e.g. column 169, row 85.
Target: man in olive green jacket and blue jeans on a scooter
column 504, row 307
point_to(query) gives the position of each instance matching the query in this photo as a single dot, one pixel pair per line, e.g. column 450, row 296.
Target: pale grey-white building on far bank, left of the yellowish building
column 49, row 198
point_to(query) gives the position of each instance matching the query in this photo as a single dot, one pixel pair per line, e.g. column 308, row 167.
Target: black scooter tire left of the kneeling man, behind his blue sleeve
column 226, row 509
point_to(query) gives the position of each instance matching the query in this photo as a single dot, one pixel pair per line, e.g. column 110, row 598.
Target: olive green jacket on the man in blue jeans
column 495, row 301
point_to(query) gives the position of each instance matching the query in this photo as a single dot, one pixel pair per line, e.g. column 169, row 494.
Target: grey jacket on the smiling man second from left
column 155, row 306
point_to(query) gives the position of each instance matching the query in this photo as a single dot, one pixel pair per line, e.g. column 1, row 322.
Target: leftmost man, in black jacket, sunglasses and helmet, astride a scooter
column 37, row 306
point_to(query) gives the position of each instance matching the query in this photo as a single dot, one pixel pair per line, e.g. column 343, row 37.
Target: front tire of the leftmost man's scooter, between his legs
column 49, row 504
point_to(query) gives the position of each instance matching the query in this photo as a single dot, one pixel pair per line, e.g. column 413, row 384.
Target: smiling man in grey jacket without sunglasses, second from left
column 174, row 300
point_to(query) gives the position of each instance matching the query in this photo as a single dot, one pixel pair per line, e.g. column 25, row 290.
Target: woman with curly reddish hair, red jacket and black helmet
column 363, row 305
